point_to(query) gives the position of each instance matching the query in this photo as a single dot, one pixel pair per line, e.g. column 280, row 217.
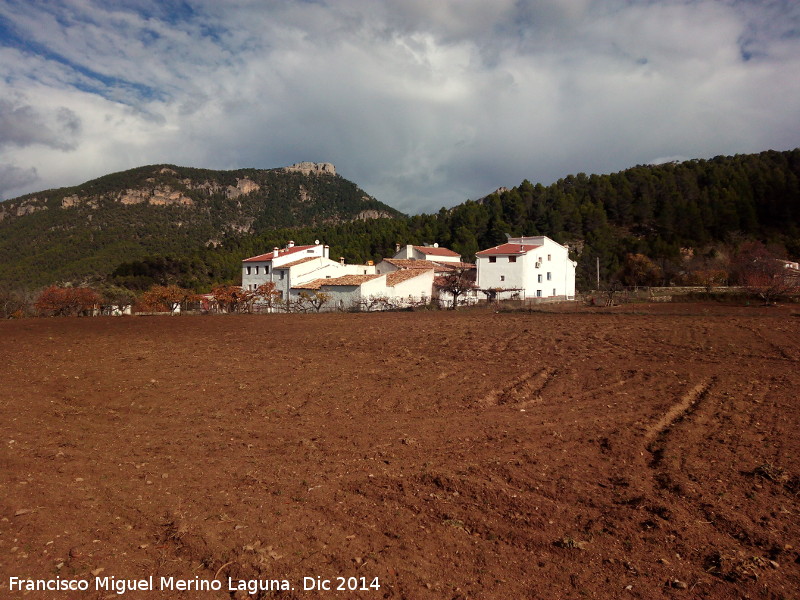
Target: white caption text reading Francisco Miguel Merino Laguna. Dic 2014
column 250, row 586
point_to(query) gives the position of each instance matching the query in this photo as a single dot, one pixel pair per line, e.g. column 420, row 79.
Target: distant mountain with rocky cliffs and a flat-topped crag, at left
column 75, row 232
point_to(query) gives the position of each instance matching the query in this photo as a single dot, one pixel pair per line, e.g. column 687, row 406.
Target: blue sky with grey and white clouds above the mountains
column 422, row 103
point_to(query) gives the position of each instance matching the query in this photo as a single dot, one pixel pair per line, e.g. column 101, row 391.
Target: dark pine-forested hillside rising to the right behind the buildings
column 706, row 206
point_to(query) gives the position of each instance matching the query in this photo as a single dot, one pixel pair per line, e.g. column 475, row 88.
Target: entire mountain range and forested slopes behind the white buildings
column 165, row 224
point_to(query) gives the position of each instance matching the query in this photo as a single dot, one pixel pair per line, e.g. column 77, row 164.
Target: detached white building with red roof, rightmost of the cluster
column 527, row 267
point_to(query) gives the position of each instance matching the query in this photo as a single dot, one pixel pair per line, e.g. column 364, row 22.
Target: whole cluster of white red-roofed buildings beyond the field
column 522, row 268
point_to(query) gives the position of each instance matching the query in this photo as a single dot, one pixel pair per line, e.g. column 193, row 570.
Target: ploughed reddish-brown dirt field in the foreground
column 650, row 453
